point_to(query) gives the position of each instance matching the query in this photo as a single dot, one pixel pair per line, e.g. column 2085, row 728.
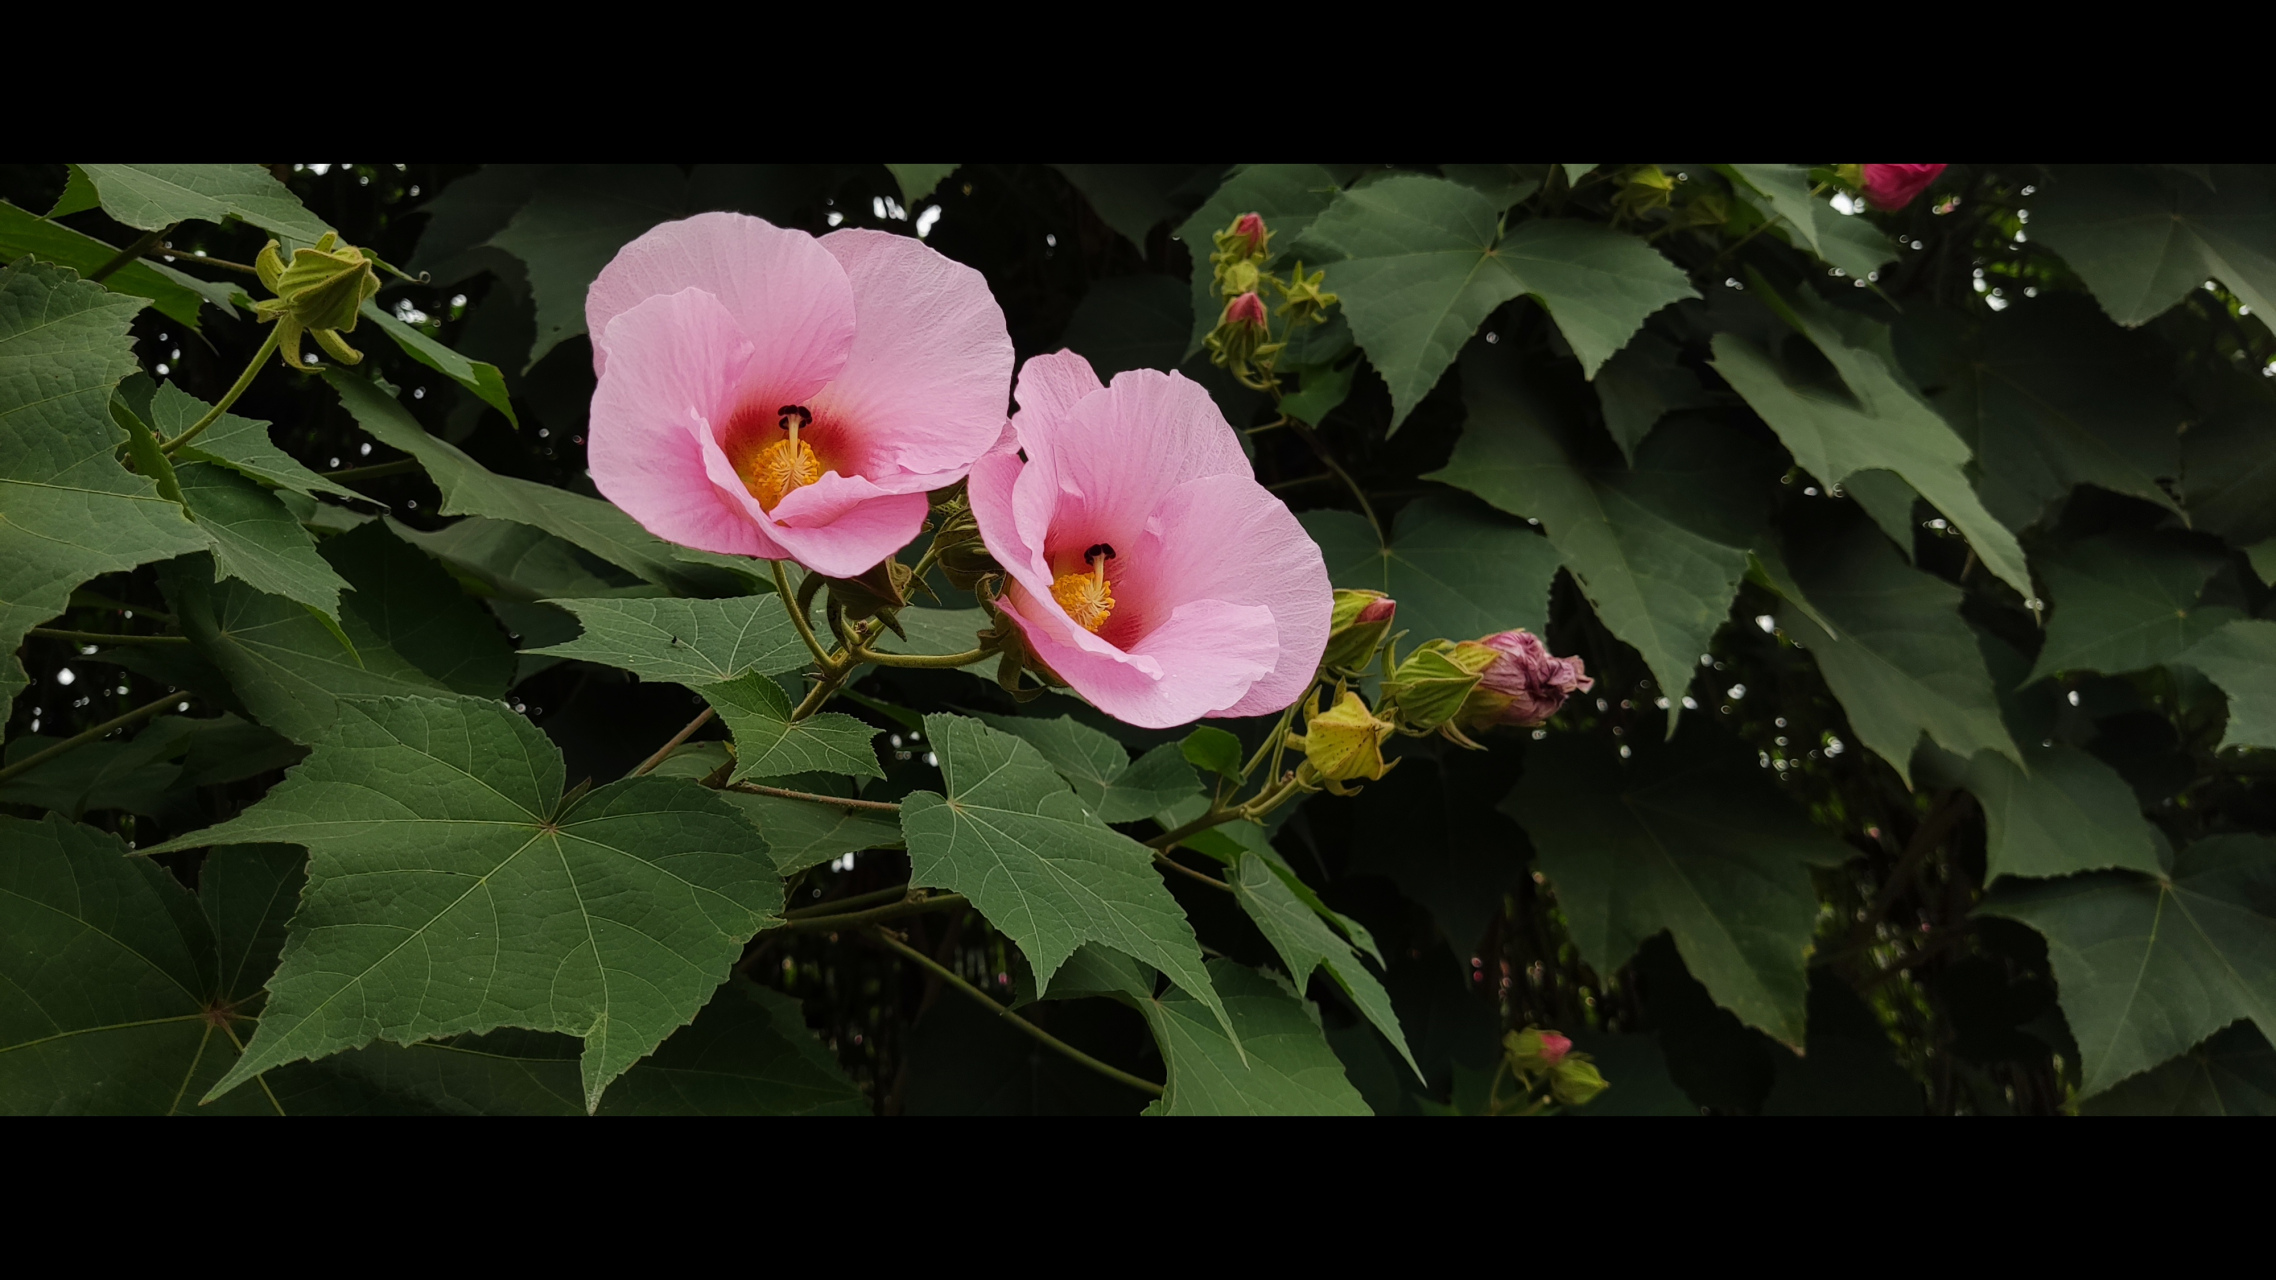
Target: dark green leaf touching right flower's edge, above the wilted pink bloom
column 1458, row 568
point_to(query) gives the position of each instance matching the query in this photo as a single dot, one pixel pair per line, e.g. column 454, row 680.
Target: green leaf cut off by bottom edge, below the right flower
column 1280, row 1069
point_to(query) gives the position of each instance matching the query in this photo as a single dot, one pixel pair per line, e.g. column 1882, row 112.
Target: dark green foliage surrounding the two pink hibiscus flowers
column 1922, row 564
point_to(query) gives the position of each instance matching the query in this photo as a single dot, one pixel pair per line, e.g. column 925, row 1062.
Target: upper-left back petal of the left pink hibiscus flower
column 786, row 293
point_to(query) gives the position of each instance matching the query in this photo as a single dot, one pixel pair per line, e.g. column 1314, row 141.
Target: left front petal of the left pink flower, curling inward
column 679, row 363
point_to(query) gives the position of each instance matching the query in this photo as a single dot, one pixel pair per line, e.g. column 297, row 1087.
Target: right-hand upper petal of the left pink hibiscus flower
column 932, row 361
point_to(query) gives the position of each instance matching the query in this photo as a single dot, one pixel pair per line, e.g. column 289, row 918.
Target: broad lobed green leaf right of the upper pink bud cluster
column 1419, row 265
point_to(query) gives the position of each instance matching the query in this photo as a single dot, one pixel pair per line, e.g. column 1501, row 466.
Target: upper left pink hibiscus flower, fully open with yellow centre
column 766, row 393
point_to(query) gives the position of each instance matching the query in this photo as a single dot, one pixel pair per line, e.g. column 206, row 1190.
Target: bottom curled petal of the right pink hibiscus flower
column 1203, row 662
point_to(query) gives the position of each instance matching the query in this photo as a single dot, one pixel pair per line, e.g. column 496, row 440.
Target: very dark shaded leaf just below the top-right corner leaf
column 2050, row 397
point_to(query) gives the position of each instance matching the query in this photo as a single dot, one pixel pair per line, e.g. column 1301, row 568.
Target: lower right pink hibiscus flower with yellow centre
column 1148, row 566
